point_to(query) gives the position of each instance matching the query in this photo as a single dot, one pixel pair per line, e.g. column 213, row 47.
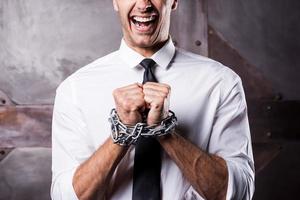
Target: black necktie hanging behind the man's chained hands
column 147, row 159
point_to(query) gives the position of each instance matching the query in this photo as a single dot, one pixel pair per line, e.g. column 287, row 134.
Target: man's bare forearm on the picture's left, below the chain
column 91, row 178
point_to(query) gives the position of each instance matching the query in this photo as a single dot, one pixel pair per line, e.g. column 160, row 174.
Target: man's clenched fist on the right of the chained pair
column 157, row 98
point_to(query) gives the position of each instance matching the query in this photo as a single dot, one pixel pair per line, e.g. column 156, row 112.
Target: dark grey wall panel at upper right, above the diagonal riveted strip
column 266, row 33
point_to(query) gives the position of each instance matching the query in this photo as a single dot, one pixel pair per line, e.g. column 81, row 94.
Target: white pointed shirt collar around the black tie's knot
column 162, row 57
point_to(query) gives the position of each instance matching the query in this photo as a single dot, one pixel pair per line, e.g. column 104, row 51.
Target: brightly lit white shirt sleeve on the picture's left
column 69, row 145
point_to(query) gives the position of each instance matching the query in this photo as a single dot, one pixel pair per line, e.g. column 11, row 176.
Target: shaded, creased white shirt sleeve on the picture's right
column 231, row 140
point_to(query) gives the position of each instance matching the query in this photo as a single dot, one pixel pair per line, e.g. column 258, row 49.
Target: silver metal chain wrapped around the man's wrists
column 126, row 135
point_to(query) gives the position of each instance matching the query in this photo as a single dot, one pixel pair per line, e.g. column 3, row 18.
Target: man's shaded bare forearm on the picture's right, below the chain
column 206, row 173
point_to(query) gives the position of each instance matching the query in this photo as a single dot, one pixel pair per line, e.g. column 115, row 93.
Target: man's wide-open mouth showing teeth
column 144, row 23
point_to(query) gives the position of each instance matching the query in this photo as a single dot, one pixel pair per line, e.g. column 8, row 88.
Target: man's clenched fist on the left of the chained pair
column 130, row 103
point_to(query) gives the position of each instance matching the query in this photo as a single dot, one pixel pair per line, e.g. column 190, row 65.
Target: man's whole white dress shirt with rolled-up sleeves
column 207, row 98
